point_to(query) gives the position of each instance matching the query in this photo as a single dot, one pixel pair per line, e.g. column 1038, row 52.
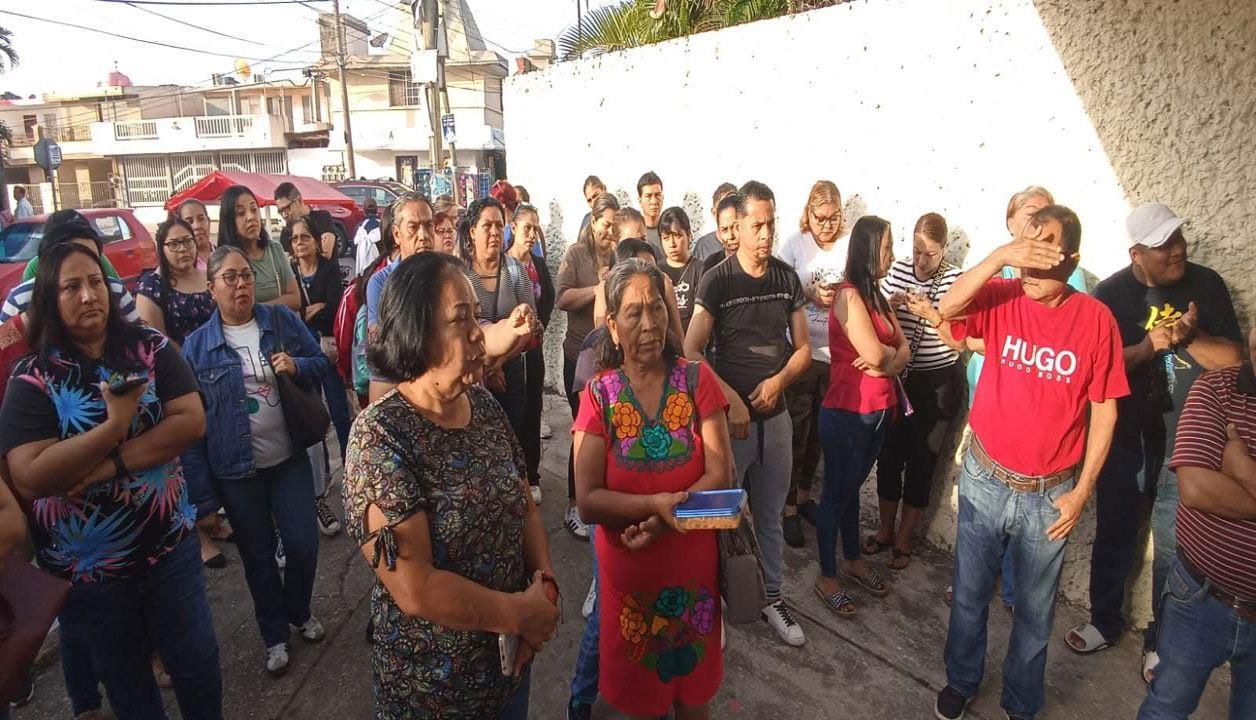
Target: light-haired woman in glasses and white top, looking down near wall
column 818, row 254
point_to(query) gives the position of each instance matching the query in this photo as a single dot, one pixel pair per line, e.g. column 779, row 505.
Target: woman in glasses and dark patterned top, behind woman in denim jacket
column 175, row 301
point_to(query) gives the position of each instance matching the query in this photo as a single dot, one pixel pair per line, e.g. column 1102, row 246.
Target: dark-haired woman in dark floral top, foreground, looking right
column 436, row 497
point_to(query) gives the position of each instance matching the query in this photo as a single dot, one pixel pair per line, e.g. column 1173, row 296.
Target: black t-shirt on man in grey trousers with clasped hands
column 752, row 324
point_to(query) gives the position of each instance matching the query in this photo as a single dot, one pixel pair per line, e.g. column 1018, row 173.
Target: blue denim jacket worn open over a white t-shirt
column 227, row 449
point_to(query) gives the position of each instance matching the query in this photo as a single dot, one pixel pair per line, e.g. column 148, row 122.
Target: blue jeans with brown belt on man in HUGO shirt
column 997, row 521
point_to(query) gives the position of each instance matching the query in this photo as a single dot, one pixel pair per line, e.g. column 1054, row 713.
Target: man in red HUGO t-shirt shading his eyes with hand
column 1042, row 427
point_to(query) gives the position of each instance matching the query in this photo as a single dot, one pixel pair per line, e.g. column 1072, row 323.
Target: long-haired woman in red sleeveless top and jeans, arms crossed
column 869, row 351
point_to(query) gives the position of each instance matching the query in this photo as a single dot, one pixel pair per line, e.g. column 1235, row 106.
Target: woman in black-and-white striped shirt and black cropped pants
column 934, row 383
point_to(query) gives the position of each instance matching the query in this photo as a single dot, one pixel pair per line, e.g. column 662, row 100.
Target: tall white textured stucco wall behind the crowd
column 912, row 106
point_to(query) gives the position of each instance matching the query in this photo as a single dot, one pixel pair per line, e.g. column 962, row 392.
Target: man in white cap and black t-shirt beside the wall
column 1176, row 322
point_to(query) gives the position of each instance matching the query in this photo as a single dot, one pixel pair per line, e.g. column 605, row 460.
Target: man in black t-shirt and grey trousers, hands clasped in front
column 753, row 303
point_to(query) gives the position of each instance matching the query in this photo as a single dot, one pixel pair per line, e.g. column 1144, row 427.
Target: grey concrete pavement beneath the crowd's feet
column 887, row 663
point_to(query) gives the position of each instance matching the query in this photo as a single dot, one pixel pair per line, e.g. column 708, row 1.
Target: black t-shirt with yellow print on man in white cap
column 1159, row 390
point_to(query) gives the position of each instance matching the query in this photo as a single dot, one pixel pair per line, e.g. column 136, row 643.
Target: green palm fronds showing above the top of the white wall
column 636, row 23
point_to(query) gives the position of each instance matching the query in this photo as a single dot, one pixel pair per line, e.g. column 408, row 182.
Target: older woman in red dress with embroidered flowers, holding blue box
column 651, row 429
